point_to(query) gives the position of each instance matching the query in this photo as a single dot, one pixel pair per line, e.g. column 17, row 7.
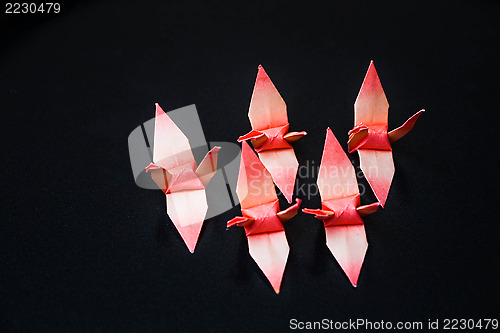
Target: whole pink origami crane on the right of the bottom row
column 341, row 211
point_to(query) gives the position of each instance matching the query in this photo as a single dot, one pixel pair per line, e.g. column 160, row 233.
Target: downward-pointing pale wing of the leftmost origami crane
column 187, row 210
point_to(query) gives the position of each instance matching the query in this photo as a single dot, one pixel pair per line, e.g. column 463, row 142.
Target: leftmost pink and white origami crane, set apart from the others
column 174, row 171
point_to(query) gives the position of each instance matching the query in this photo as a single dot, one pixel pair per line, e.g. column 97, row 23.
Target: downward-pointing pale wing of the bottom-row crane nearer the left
column 270, row 252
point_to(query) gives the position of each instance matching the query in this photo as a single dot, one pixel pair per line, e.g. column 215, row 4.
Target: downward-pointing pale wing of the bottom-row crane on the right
column 348, row 245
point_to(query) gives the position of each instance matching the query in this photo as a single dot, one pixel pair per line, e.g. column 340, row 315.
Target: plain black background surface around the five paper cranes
column 84, row 249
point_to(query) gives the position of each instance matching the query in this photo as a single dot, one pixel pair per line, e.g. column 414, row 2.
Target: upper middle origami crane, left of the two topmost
column 269, row 136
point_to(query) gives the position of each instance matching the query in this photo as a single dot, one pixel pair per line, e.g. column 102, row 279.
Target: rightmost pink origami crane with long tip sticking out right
column 370, row 138
